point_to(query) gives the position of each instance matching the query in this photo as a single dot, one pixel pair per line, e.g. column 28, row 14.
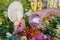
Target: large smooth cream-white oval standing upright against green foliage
column 15, row 11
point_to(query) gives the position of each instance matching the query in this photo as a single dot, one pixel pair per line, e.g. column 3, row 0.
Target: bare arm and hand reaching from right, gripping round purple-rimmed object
column 44, row 12
